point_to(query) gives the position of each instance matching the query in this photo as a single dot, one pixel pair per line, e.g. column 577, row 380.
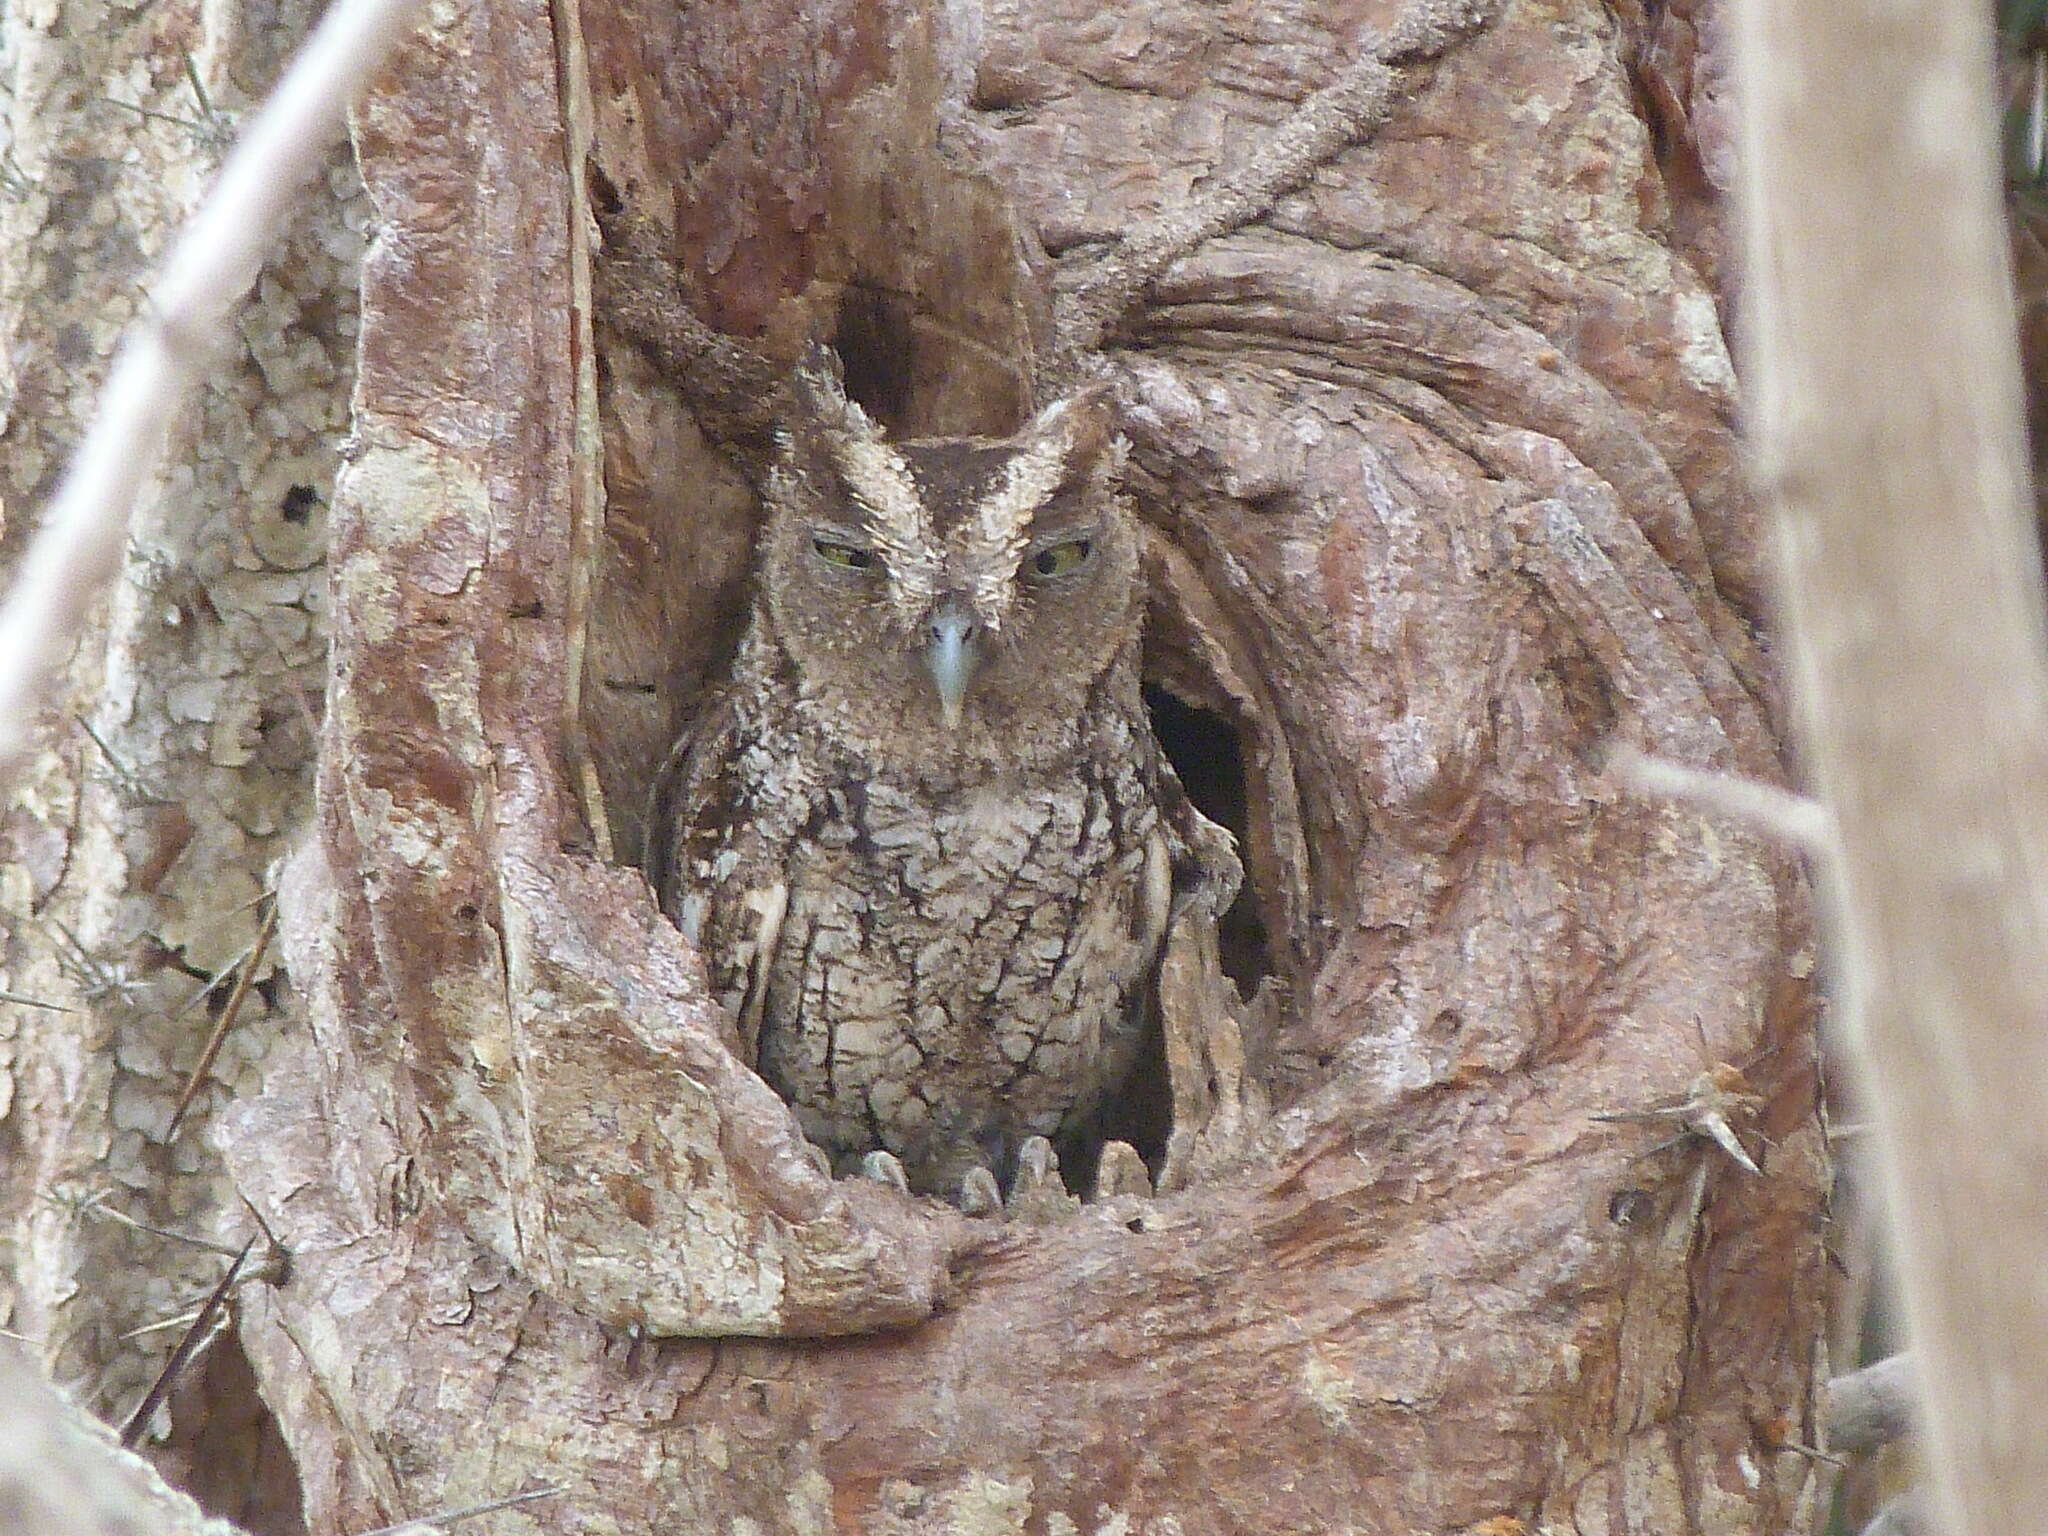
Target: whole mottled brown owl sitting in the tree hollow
column 925, row 837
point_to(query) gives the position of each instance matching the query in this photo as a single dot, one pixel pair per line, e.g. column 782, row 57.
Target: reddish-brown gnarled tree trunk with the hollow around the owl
column 1441, row 474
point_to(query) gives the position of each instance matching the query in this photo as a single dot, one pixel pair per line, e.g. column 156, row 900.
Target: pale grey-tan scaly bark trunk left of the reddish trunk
column 134, row 851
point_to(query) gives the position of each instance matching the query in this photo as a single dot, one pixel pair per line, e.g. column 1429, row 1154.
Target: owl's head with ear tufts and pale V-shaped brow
column 949, row 599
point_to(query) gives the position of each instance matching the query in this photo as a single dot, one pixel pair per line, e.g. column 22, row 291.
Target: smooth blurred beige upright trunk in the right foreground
column 1914, row 595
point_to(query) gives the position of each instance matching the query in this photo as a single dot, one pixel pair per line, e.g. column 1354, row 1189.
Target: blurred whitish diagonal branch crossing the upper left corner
column 214, row 263
